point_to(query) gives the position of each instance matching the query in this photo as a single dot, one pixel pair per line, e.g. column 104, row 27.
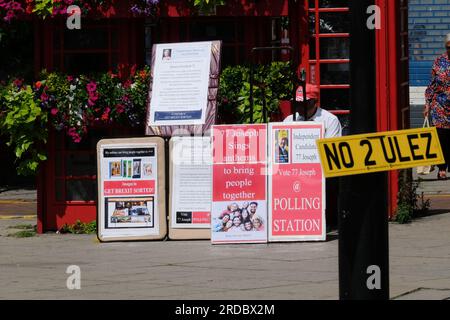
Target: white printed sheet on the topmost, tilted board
column 180, row 84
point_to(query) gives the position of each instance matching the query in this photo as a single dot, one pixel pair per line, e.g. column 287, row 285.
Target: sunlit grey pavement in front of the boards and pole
column 35, row 268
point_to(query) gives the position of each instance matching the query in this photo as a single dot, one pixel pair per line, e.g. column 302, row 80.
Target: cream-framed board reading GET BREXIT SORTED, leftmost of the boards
column 131, row 189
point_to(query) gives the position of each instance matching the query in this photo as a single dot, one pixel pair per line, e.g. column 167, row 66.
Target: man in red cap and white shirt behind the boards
column 314, row 112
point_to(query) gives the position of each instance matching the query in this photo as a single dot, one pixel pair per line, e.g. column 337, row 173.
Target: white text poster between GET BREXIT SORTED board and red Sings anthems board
column 191, row 183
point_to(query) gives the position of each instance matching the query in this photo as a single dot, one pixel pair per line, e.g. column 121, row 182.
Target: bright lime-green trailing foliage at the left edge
column 24, row 122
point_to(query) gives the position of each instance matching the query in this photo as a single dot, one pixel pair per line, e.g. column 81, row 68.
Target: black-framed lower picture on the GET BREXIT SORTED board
column 129, row 212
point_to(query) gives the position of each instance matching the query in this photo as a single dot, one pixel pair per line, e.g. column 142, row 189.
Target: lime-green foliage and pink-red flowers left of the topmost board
column 72, row 104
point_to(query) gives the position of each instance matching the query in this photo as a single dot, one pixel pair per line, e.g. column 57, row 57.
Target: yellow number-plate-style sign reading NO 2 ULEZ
column 374, row 152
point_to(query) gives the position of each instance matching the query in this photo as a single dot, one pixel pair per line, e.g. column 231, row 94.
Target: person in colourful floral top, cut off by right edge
column 437, row 104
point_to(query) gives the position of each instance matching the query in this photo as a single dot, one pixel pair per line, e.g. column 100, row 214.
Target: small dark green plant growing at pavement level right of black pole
column 410, row 204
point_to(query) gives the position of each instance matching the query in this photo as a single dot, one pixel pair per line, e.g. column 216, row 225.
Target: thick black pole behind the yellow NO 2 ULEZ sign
column 363, row 216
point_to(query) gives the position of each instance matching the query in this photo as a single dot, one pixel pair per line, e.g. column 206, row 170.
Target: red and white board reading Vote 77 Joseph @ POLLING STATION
column 296, row 183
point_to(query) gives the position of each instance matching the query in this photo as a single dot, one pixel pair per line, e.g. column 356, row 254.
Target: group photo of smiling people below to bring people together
column 238, row 217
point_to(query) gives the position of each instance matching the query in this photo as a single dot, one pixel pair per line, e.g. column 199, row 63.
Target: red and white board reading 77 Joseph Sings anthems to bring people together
column 239, row 209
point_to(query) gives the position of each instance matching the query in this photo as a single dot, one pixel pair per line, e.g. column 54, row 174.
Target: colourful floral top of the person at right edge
column 437, row 94
